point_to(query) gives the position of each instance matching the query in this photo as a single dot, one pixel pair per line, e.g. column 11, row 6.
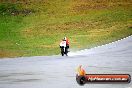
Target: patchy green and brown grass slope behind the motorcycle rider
column 36, row 28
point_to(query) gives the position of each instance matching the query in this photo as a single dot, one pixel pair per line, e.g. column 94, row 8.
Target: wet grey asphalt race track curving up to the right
column 60, row 72
